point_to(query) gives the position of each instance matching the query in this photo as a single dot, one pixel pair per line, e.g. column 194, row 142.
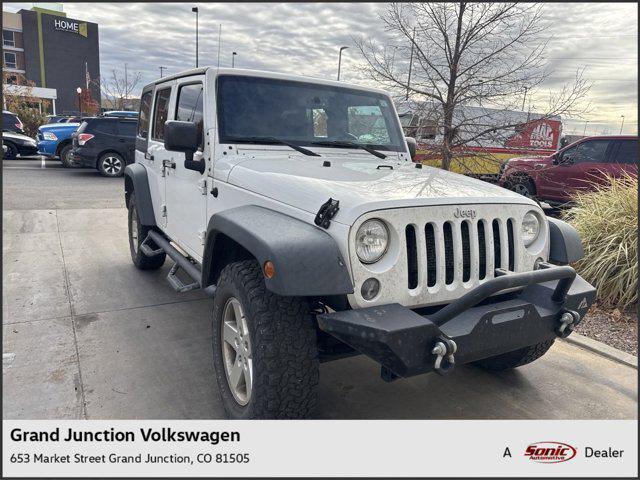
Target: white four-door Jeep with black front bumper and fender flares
column 295, row 204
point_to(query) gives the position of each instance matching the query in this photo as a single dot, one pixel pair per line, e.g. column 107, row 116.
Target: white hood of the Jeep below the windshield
column 361, row 184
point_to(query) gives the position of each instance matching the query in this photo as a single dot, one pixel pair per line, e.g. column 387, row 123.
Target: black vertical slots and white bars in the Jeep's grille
column 455, row 259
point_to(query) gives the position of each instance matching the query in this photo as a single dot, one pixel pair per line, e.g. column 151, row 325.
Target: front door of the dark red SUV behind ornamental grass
column 576, row 169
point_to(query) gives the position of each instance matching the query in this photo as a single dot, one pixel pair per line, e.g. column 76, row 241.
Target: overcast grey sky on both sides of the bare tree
column 304, row 38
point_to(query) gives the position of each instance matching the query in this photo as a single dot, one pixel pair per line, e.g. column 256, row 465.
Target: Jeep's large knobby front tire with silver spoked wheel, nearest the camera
column 265, row 351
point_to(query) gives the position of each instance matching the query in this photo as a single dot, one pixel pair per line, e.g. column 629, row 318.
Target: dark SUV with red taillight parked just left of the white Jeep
column 105, row 143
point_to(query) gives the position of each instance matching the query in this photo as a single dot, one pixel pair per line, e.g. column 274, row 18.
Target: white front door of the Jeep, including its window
column 186, row 189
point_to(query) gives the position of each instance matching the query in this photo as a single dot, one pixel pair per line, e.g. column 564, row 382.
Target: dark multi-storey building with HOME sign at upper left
column 56, row 53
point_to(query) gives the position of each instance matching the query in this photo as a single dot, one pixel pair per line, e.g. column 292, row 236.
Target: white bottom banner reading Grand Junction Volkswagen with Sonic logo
column 379, row 448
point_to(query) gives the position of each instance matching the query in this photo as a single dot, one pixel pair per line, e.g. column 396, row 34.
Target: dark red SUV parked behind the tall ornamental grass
column 578, row 166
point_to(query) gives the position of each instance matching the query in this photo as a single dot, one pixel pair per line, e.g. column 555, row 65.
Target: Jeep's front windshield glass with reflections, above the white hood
column 251, row 108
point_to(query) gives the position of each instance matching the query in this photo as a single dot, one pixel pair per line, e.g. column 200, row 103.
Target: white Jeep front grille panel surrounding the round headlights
column 435, row 257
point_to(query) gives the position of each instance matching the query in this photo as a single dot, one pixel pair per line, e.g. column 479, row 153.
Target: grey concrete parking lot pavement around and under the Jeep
column 87, row 335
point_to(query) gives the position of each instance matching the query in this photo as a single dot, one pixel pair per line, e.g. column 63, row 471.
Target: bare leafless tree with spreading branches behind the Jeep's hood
column 466, row 65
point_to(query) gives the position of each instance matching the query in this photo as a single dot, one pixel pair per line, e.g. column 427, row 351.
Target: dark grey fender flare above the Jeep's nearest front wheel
column 307, row 260
